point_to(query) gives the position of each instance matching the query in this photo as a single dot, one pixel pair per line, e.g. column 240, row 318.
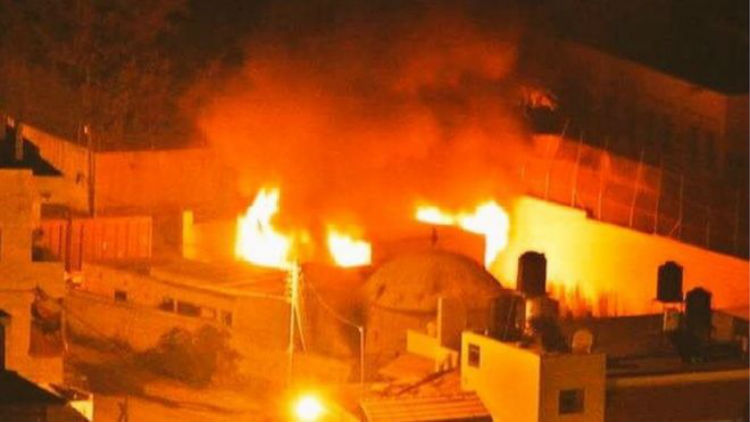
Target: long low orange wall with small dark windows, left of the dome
column 258, row 329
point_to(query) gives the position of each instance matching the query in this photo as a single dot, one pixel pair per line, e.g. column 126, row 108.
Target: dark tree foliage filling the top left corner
column 101, row 63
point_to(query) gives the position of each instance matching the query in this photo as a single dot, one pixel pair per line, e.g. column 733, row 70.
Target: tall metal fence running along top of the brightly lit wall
column 634, row 194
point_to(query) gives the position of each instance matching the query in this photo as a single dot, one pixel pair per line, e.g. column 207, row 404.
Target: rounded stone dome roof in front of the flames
column 415, row 281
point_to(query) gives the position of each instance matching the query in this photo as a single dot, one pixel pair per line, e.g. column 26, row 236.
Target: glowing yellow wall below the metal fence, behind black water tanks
column 612, row 270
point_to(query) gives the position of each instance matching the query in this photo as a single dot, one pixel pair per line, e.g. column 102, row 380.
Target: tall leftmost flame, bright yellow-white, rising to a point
column 258, row 241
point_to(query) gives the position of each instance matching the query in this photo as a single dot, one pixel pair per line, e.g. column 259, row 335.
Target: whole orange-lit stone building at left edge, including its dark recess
column 31, row 287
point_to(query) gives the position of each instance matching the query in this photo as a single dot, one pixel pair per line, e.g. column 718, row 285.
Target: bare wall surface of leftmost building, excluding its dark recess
column 19, row 275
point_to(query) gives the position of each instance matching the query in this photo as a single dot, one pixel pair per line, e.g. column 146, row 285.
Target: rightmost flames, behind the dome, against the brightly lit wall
column 488, row 219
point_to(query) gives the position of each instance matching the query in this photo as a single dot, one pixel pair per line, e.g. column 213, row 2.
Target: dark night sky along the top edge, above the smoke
column 702, row 41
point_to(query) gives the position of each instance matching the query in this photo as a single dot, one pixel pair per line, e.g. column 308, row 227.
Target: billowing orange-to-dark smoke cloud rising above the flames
column 358, row 118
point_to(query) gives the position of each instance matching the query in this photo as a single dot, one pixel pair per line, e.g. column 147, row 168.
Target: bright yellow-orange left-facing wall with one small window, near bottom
column 507, row 379
